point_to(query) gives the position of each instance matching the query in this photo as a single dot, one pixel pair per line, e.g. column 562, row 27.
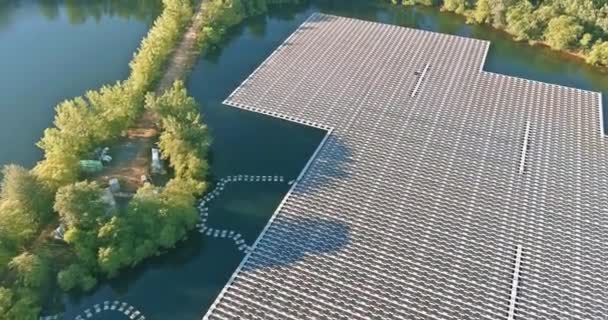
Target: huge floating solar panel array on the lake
column 441, row 191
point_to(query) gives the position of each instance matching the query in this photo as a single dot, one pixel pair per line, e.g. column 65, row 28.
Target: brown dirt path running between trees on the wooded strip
column 133, row 154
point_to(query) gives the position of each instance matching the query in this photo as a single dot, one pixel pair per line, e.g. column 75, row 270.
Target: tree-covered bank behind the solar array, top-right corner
column 578, row 27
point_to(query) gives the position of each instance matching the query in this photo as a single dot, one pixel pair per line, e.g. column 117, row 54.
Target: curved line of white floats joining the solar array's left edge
column 203, row 209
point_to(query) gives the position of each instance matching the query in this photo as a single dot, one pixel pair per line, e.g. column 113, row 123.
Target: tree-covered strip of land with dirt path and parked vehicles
column 123, row 167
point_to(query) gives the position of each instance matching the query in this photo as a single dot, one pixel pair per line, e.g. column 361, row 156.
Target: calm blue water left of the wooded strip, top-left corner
column 51, row 50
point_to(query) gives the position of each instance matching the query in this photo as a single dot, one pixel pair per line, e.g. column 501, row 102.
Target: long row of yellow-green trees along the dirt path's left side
column 99, row 117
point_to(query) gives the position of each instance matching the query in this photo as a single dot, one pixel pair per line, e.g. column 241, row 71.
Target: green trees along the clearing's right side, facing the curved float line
column 159, row 217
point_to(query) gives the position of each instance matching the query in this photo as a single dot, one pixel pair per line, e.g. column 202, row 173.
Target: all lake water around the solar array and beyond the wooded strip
column 181, row 284
